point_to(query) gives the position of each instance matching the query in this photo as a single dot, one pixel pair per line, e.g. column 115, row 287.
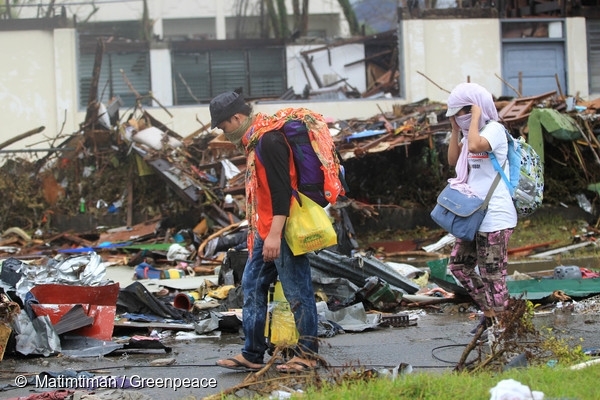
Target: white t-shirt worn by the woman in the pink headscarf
column 501, row 212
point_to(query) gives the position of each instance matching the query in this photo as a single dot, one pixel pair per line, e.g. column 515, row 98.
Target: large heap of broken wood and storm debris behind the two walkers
column 165, row 206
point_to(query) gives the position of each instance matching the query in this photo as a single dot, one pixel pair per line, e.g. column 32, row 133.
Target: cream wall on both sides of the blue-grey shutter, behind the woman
column 455, row 51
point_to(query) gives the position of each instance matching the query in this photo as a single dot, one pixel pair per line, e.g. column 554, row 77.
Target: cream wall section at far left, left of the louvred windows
column 38, row 84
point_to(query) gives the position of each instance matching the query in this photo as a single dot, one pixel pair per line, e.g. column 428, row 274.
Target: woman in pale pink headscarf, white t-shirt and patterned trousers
column 475, row 133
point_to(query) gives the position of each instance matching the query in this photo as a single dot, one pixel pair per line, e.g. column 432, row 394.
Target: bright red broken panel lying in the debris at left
column 99, row 302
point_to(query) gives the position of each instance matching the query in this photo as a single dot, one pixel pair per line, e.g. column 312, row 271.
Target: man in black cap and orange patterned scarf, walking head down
column 269, row 182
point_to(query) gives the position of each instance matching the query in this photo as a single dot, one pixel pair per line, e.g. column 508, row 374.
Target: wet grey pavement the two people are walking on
column 433, row 345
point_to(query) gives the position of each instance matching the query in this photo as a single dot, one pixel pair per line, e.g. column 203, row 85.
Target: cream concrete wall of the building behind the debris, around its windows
column 38, row 76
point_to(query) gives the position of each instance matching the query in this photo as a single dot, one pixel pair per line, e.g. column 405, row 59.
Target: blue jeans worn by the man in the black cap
column 294, row 274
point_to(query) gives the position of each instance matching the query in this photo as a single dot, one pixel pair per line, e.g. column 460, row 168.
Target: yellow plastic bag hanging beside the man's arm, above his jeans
column 308, row 228
